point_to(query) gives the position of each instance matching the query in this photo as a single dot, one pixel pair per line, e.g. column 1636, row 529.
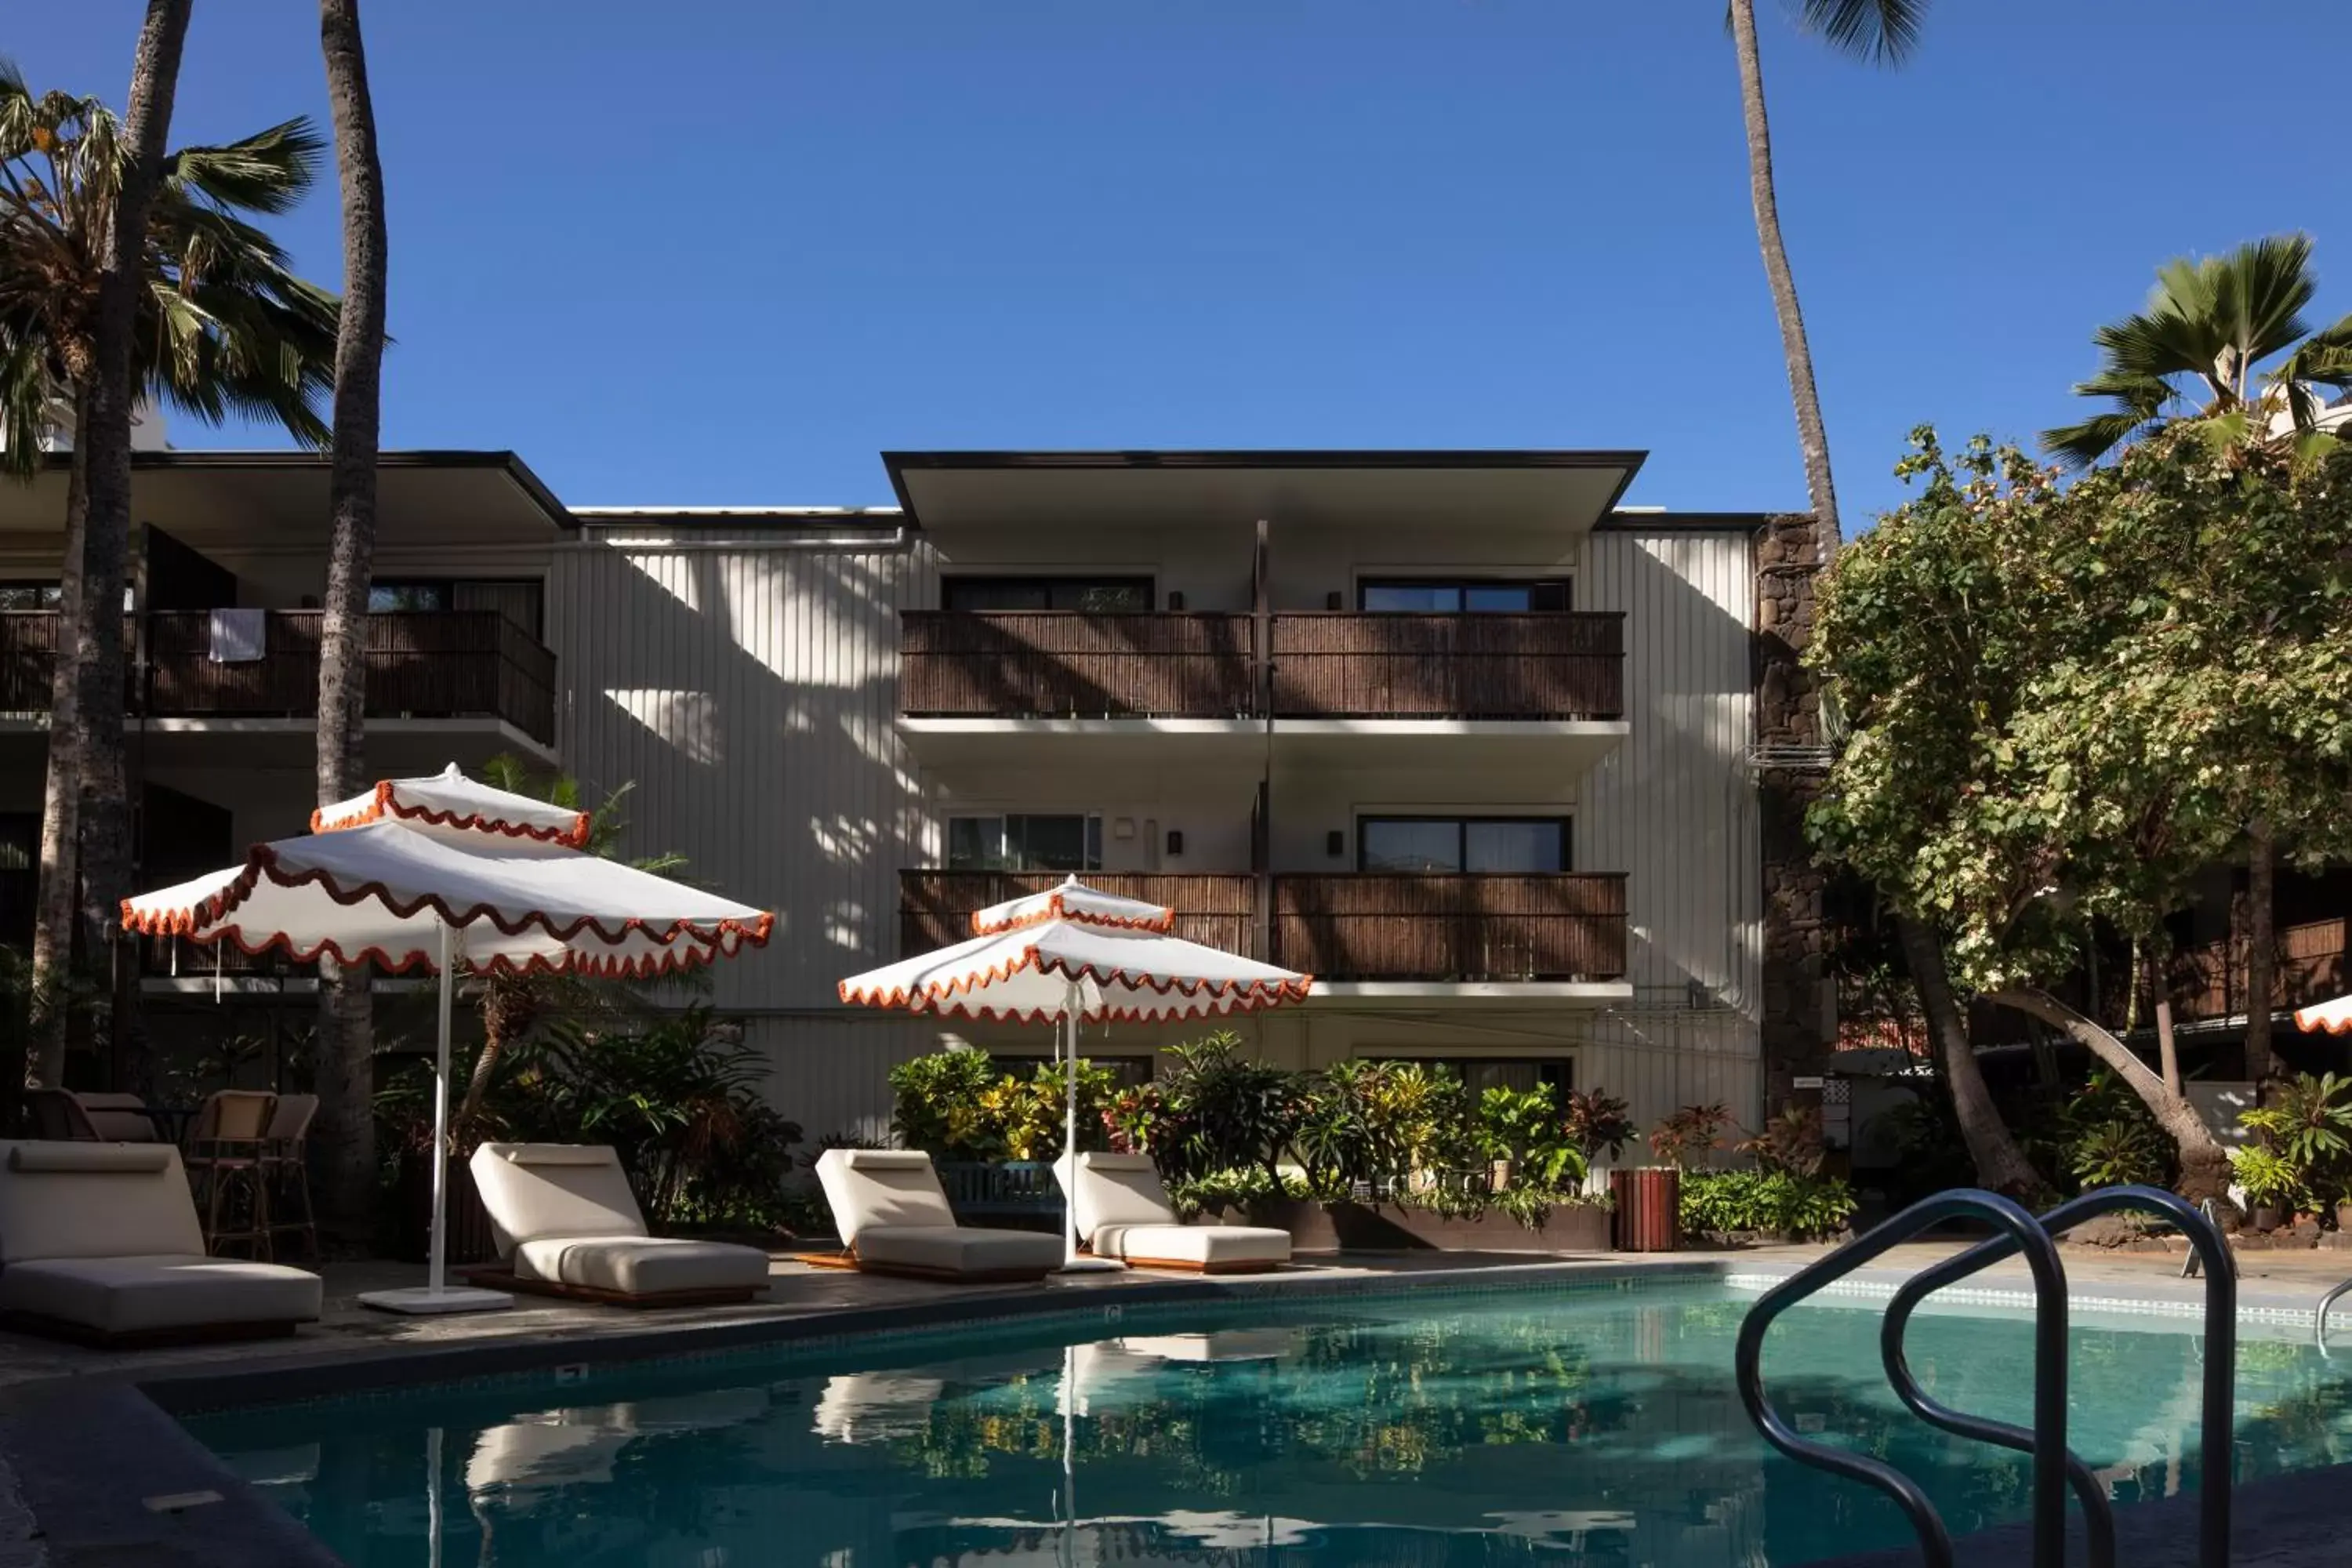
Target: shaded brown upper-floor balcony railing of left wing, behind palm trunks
column 420, row 664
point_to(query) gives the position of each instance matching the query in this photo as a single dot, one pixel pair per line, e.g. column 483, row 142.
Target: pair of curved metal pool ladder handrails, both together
column 2054, row 1466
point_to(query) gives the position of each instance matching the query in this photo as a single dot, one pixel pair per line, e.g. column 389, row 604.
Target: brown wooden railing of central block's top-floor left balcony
column 1055, row 666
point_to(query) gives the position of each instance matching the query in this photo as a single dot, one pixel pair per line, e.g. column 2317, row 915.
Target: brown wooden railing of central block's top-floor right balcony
column 1476, row 666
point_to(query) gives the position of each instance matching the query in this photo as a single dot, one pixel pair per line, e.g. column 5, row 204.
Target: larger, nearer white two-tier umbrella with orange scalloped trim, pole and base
column 446, row 871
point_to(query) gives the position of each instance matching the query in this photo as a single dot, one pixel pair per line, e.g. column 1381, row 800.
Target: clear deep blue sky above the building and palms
column 726, row 253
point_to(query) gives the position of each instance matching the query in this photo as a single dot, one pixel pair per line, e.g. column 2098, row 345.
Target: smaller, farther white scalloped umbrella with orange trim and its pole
column 1067, row 956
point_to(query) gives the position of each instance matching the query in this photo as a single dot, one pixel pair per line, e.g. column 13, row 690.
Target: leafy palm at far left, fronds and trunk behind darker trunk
column 220, row 328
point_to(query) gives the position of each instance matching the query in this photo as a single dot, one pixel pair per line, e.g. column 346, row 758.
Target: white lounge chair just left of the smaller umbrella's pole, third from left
column 895, row 1219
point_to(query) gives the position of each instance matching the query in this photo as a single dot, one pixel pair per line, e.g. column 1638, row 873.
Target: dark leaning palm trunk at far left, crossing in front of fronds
column 107, row 843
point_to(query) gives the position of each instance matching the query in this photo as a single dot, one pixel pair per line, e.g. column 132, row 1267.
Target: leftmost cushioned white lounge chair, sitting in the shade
column 100, row 1245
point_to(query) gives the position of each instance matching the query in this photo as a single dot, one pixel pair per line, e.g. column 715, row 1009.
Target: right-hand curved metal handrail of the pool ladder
column 2219, row 1369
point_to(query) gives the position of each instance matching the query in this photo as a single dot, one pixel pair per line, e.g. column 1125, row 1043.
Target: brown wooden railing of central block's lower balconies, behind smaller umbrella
column 1448, row 930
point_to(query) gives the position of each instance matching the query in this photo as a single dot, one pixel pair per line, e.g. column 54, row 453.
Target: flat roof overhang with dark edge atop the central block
column 1509, row 490
